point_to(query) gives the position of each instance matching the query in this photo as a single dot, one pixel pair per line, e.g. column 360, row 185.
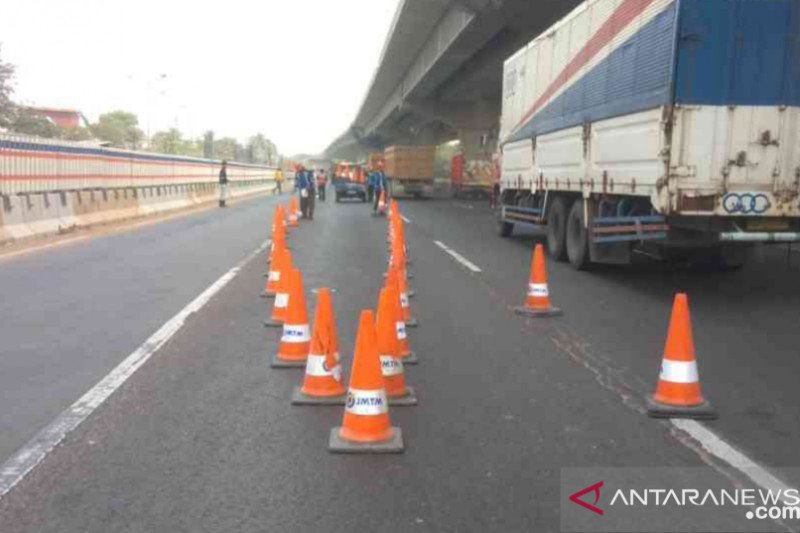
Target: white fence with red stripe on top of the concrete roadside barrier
column 32, row 164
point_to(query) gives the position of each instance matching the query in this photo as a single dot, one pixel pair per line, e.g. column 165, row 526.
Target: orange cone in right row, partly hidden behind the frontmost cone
column 391, row 362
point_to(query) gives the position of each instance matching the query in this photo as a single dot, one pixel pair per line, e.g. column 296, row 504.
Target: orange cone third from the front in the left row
column 296, row 339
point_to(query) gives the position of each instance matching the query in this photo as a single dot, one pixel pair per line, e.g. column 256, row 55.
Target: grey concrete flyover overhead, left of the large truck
column 439, row 76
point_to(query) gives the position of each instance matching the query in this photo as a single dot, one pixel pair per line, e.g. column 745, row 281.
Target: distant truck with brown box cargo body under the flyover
column 410, row 169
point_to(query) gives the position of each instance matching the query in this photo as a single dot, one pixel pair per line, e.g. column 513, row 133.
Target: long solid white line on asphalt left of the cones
column 30, row 455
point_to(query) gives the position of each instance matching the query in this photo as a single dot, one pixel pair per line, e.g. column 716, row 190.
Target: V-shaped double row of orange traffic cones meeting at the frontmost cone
column 381, row 349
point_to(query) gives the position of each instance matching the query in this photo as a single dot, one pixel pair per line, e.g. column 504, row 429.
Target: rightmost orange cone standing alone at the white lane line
column 678, row 392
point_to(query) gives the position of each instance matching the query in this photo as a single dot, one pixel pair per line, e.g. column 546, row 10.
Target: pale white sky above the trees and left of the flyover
column 295, row 70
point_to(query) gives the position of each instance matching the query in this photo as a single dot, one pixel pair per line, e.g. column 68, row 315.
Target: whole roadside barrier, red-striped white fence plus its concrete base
column 49, row 186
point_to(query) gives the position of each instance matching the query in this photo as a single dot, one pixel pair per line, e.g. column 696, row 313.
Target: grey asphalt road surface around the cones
column 202, row 436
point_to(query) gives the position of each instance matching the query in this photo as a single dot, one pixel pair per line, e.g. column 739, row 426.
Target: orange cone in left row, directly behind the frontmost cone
column 322, row 383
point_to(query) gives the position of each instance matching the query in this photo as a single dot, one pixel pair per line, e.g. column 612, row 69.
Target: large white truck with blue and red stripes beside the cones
column 666, row 126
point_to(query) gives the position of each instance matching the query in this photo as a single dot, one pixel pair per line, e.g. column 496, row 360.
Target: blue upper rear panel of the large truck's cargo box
column 738, row 52
